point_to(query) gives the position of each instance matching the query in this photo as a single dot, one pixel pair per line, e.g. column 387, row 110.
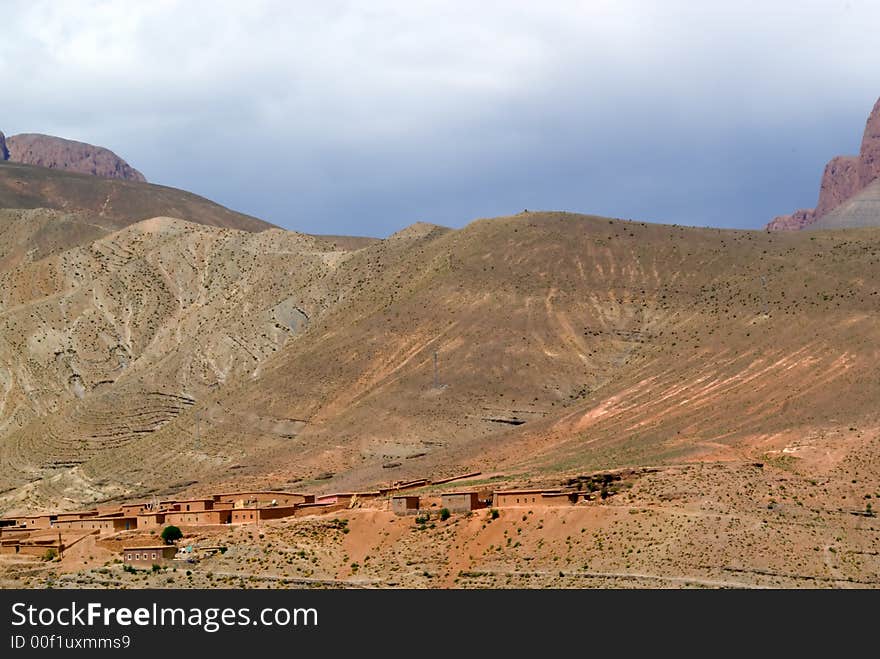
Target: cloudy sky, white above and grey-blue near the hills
column 363, row 117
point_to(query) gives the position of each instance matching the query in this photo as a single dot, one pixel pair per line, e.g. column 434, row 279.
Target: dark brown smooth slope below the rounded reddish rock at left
column 111, row 202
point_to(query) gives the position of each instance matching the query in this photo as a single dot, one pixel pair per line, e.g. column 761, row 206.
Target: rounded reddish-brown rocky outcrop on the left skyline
column 58, row 153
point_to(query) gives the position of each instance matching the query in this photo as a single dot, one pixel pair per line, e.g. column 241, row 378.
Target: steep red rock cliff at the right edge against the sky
column 844, row 177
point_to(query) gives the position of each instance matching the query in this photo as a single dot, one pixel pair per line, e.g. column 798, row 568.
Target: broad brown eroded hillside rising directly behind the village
column 169, row 355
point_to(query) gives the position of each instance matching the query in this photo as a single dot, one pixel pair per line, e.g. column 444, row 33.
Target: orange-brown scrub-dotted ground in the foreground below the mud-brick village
column 715, row 525
